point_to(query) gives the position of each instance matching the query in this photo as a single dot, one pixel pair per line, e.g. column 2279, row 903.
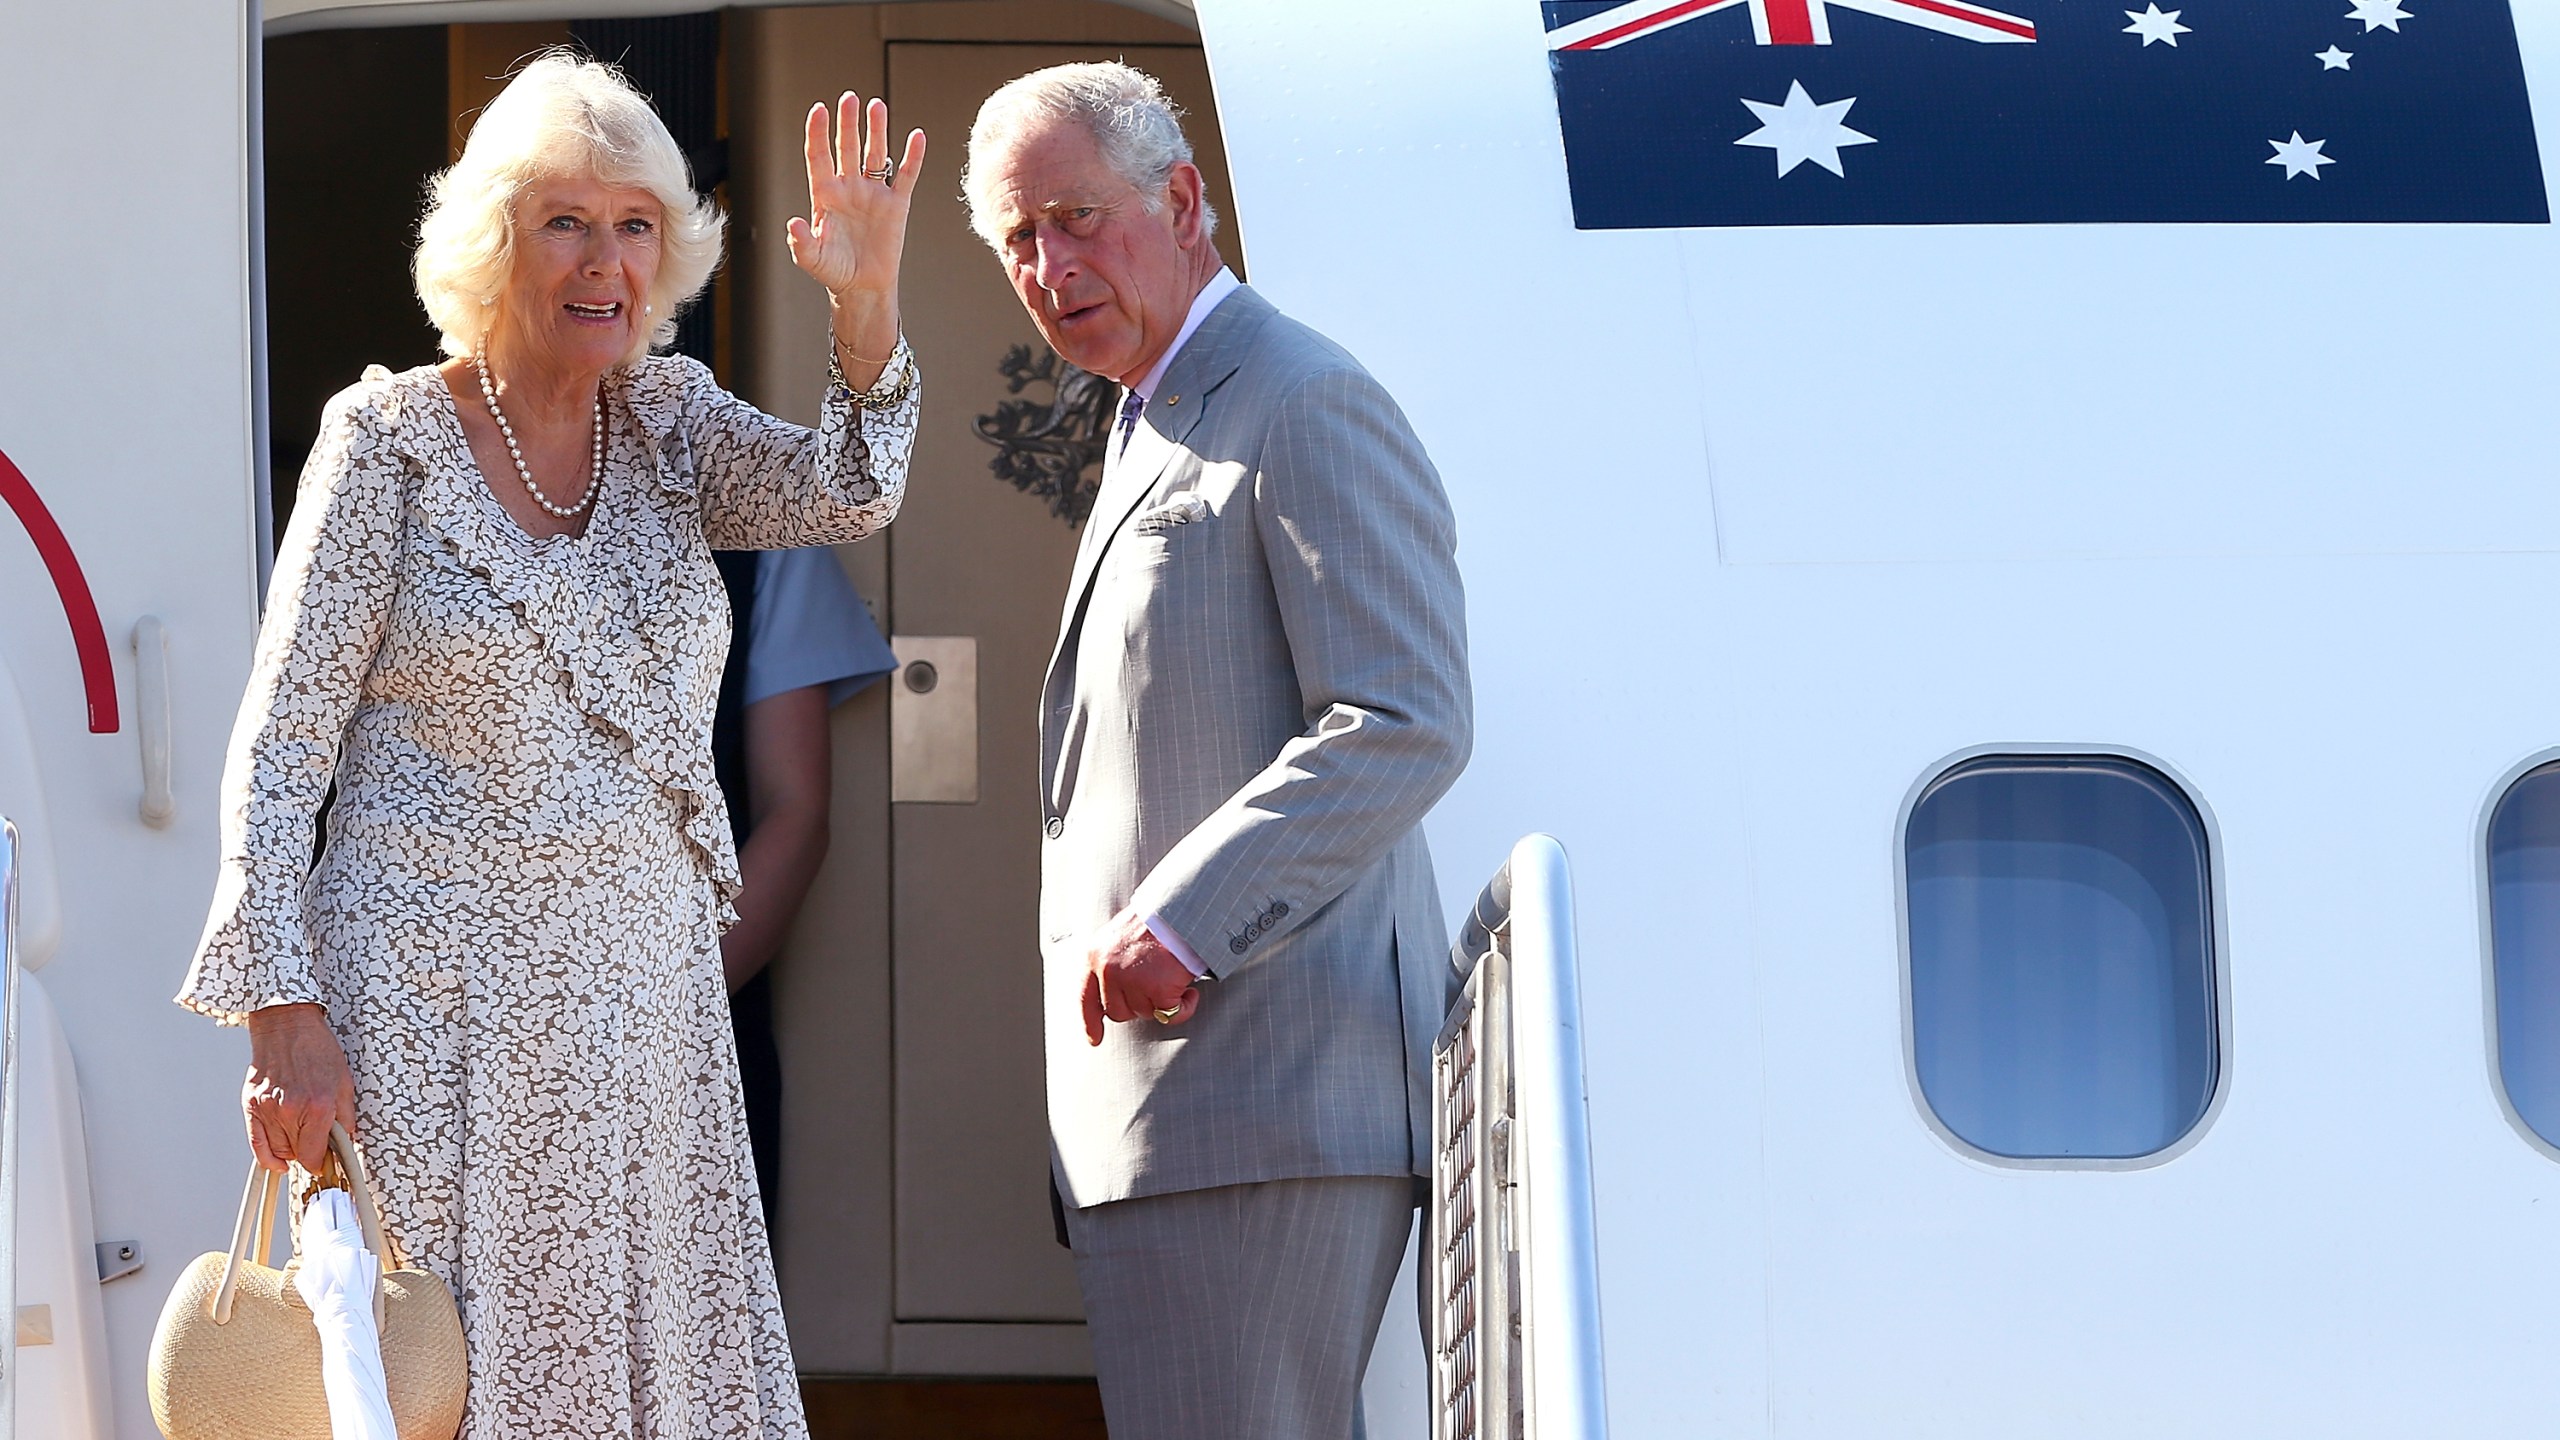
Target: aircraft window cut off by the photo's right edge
column 2525, row 947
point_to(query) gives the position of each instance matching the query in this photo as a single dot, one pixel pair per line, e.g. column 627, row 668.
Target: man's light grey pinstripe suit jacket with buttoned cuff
column 1258, row 691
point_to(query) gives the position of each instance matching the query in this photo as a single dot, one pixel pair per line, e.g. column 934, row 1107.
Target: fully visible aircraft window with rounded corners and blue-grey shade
column 2062, row 957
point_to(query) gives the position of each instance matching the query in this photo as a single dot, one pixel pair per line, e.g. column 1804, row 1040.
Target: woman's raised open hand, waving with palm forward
column 856, row 227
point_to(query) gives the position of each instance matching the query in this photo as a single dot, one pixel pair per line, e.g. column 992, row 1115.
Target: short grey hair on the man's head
column 1138, row 129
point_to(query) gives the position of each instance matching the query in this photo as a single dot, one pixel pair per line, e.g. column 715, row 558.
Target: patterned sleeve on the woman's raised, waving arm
column 772, row 486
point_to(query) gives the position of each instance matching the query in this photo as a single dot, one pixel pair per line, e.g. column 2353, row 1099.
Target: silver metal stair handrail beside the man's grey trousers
column 1514, row 1231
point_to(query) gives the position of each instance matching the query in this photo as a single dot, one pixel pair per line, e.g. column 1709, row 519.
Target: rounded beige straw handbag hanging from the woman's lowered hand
column 237, row 1354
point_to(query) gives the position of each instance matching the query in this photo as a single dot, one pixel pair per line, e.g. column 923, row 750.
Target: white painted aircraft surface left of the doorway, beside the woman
column 127, row 404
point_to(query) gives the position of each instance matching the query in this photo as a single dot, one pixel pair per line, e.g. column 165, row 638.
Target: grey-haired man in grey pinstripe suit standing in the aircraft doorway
column 1258, row 691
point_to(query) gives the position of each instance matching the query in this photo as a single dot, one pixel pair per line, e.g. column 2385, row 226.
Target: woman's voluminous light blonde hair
column 562, row 117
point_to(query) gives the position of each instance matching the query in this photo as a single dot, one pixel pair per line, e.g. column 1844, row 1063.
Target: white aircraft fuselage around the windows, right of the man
column 1765, row 524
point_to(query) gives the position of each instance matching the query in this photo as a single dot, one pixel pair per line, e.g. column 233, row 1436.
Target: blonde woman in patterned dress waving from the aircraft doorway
column 495, row 626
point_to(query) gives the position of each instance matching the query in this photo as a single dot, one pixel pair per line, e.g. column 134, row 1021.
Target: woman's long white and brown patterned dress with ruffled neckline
column 516, row 926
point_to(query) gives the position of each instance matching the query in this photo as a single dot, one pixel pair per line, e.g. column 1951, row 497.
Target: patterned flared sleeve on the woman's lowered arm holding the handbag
column 329, row 603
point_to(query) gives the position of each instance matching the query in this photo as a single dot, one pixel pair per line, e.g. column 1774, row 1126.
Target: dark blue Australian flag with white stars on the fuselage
column 2042, row 111
